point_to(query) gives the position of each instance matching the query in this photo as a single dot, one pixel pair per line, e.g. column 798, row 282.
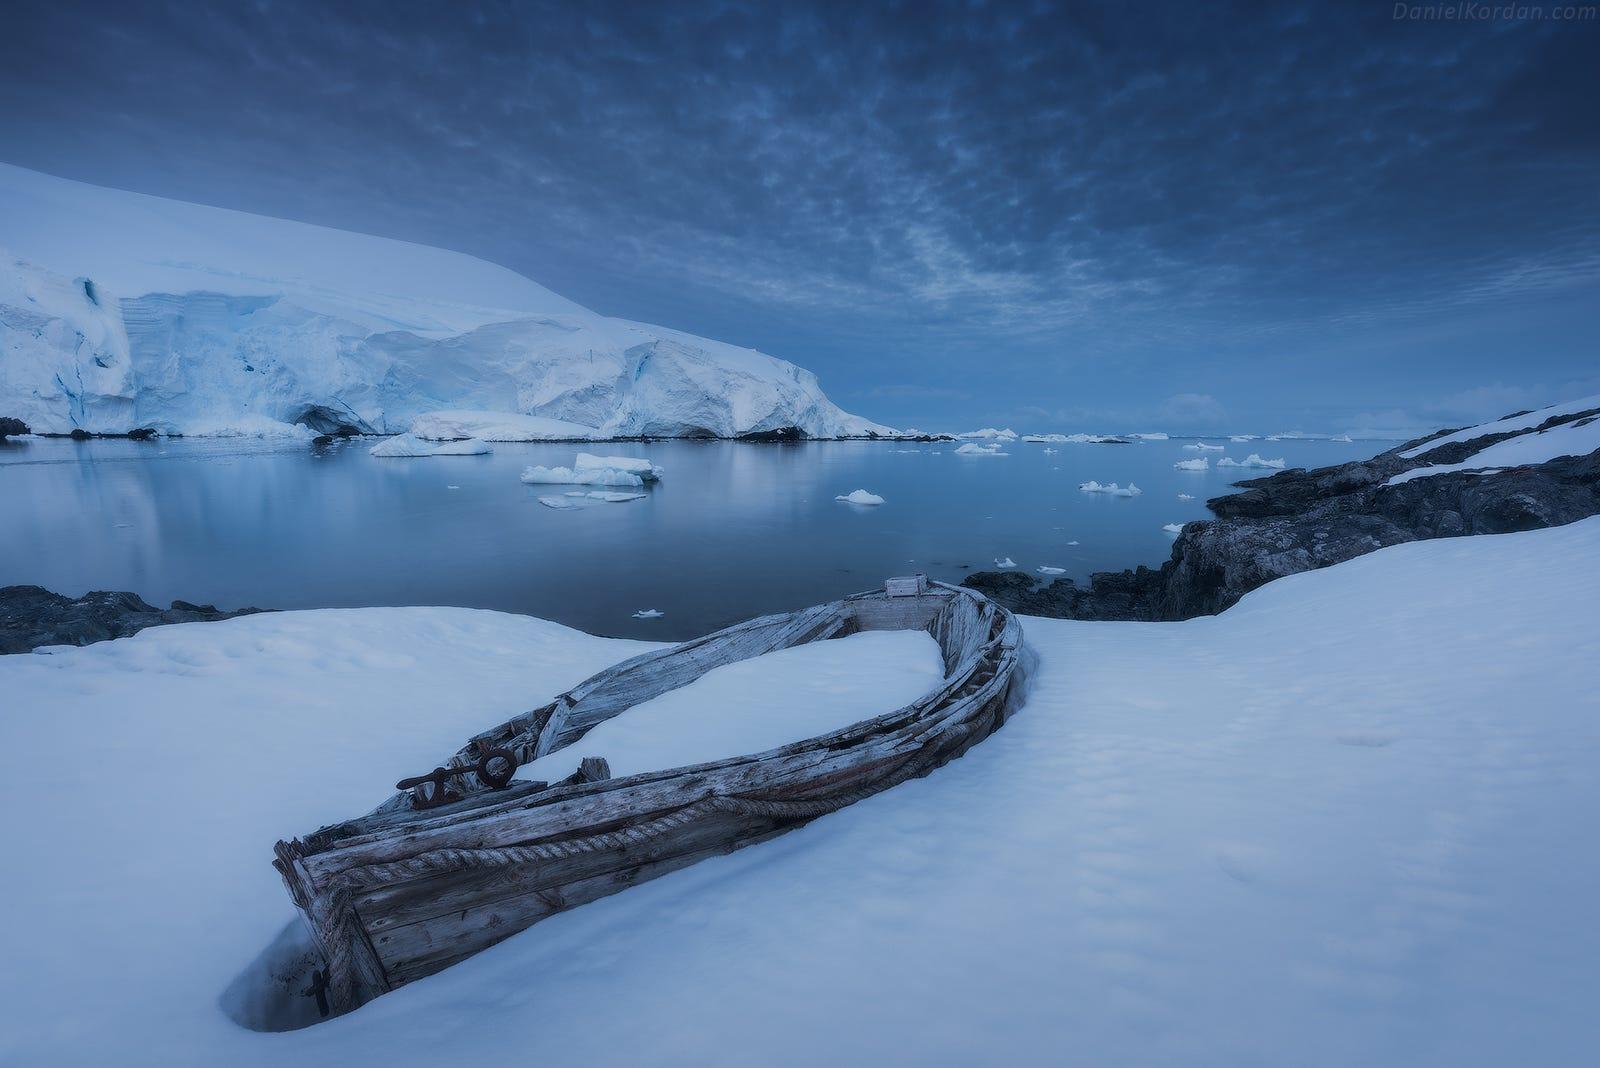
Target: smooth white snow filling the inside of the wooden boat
column 761, row 704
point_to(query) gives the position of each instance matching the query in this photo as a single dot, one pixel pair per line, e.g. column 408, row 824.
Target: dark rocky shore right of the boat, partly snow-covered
column 1302, row 520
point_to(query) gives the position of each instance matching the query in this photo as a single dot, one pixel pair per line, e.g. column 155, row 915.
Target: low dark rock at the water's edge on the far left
column 33, row 616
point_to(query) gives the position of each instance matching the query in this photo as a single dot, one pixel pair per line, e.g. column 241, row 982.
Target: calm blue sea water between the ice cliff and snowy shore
column 732, row 532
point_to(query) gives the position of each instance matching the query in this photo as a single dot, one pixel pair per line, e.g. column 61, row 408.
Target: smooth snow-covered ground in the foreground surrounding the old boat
column 1350, row 821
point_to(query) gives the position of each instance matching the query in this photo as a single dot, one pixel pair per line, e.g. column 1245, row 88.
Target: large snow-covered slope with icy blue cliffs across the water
column 122, row 311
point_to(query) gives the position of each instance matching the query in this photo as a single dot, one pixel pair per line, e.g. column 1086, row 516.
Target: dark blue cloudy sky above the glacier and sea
column 1057, row 217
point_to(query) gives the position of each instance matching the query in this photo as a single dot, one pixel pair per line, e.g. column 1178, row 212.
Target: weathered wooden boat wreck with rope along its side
column 468, row 856
